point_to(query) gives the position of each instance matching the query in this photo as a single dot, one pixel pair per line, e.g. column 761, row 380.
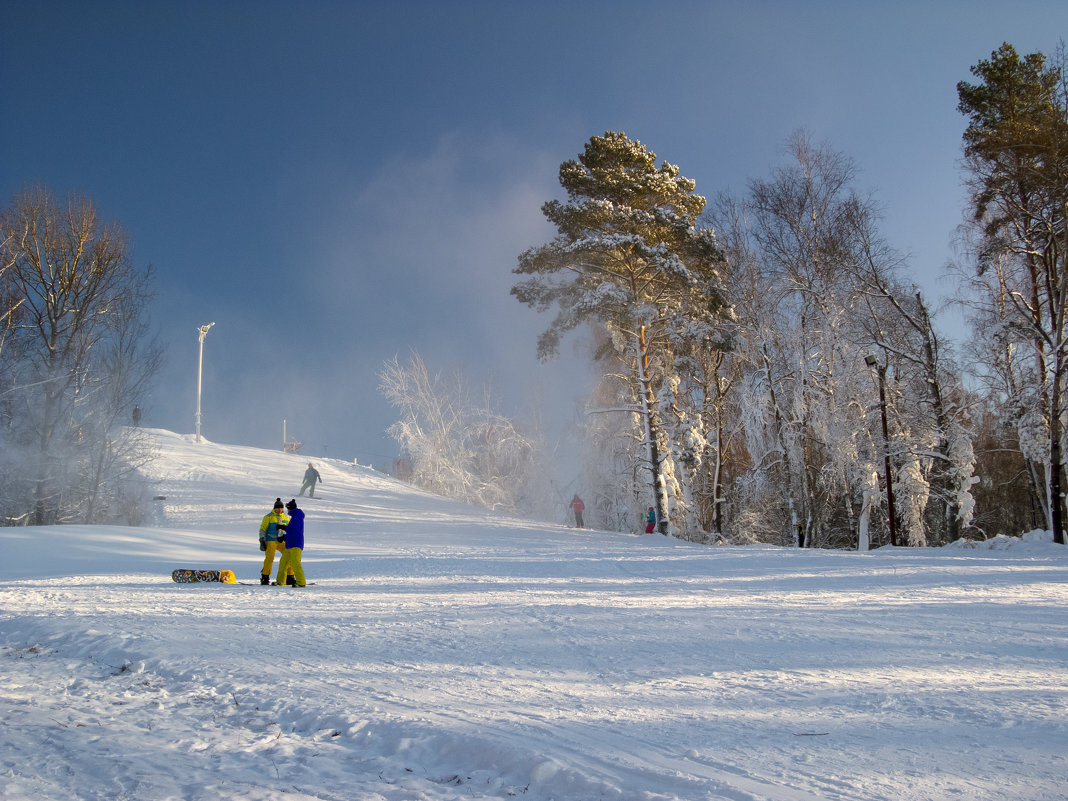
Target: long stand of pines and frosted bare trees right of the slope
column 781, row 381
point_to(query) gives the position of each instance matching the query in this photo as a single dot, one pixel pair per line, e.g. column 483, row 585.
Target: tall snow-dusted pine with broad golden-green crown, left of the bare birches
column 630, row 257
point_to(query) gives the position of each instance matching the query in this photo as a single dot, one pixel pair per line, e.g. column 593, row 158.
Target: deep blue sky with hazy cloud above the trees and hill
column 338, row 183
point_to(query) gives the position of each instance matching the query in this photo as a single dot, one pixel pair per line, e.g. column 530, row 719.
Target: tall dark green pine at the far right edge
column 1016, row 150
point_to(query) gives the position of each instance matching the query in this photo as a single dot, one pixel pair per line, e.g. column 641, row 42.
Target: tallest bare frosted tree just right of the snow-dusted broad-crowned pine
column 807, row 401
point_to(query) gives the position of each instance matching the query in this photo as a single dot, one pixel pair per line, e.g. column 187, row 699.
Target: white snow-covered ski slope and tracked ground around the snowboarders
column 448, row 653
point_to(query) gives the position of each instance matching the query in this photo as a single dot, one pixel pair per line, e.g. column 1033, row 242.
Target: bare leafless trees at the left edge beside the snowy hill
column 75, row 354
